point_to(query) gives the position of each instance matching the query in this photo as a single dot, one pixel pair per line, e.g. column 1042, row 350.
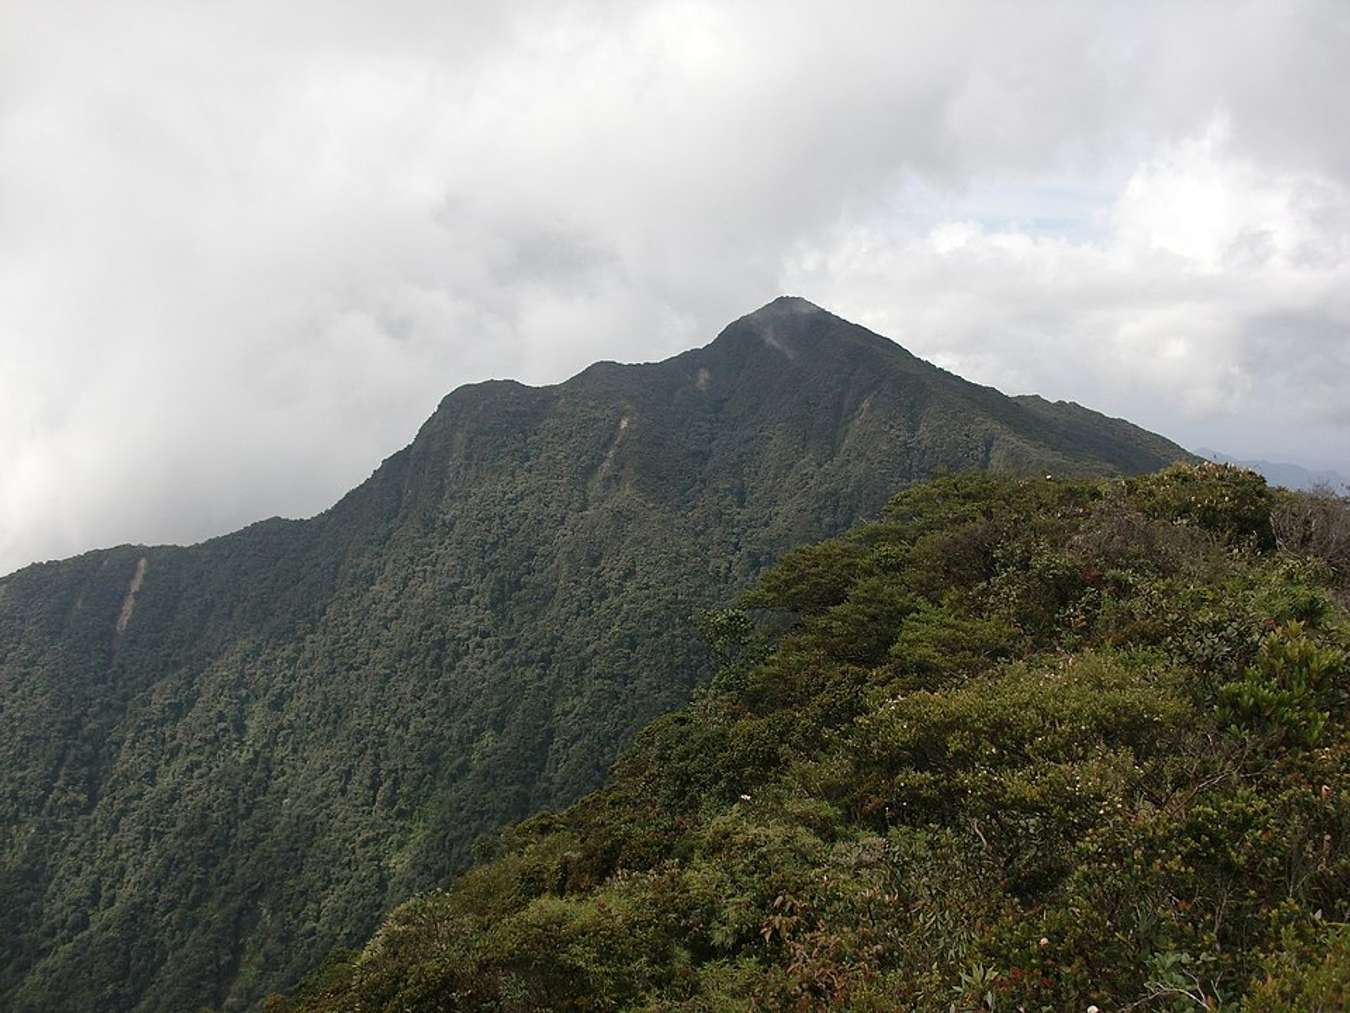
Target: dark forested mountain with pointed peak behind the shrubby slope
column 225, row 761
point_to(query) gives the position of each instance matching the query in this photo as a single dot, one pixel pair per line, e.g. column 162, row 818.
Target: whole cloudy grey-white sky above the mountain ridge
column 246, row 248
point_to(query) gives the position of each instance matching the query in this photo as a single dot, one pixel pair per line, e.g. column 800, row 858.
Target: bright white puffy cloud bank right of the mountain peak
column 1213, row 303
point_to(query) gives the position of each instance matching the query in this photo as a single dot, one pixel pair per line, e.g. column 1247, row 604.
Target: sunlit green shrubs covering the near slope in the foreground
column 1023, row 746
